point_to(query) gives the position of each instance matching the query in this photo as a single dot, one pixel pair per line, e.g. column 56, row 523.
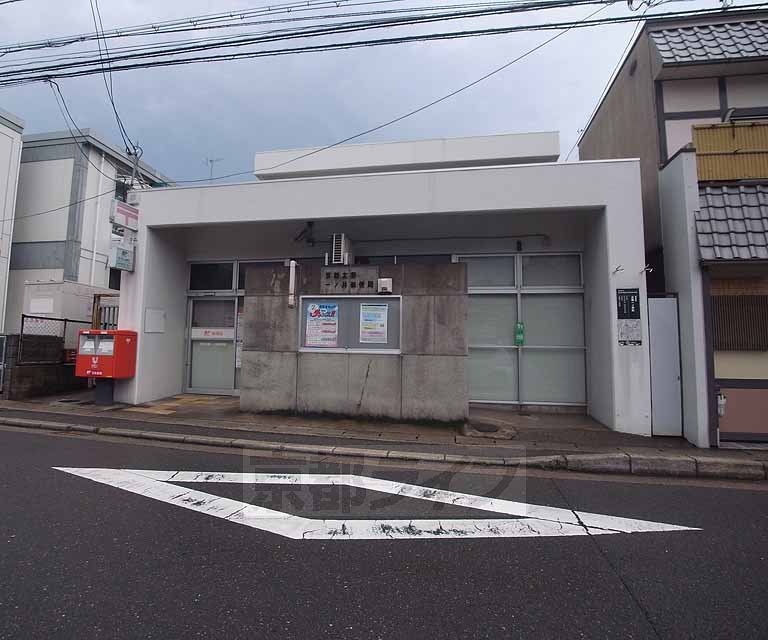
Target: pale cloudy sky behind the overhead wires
column 229, row 110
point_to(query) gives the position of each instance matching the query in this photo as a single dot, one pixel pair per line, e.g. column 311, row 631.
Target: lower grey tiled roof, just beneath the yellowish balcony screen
column 732, row 223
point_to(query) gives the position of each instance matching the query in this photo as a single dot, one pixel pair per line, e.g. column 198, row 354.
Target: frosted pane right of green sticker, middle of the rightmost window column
column 553, row 319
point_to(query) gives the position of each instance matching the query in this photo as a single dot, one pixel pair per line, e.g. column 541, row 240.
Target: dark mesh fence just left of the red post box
column 47, row 340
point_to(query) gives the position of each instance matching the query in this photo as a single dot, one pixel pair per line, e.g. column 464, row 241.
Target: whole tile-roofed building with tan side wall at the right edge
column 691, row 100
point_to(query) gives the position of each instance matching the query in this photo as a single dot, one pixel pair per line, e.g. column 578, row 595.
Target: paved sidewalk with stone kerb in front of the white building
column 552, row 441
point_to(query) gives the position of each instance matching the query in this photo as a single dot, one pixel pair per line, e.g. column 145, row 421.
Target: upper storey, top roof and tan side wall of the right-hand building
column 678, row 73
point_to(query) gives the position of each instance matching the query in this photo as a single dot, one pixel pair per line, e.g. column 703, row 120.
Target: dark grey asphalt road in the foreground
column 80, row 559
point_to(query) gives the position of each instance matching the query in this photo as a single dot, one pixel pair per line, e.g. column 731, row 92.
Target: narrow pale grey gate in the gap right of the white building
column 666, row 385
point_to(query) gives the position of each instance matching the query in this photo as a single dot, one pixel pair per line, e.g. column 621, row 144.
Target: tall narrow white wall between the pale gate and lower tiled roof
column 679, row 192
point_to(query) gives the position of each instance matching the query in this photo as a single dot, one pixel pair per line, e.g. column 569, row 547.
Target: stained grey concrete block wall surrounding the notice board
column 427, row 381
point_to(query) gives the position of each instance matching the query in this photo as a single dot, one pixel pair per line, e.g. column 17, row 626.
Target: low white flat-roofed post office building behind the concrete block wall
column 555, row 247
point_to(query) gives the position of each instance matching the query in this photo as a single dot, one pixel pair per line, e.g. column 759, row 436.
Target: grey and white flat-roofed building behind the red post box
column 62, row 229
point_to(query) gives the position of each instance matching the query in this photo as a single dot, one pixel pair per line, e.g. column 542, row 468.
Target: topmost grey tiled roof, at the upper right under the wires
column 712, row 42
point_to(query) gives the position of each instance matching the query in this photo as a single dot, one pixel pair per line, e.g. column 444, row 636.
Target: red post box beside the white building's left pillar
column 106, row 354
